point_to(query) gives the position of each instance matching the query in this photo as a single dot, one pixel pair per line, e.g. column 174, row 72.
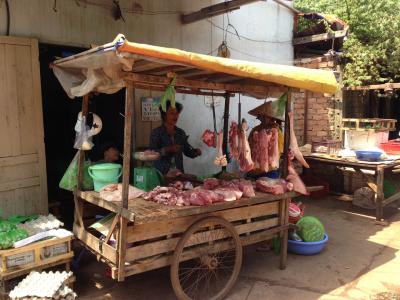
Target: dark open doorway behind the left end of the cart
column 59, row 117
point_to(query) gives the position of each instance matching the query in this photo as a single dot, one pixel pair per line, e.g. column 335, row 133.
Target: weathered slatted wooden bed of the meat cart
column 154, row 230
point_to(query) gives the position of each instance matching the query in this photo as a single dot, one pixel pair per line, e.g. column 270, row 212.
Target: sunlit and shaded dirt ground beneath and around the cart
column 361, row 261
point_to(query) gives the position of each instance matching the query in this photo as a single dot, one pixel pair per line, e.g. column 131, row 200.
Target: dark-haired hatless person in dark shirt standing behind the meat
column 171, row 141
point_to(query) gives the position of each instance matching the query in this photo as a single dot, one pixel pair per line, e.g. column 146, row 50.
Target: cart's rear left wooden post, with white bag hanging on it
column 78, row 215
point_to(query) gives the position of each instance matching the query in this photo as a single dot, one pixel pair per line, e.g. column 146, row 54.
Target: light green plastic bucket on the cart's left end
column 104, row 174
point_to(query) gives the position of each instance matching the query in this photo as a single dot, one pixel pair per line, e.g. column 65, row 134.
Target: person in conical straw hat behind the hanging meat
column 271, row 117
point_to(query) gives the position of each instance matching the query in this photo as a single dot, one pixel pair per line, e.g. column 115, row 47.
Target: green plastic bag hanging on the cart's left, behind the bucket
column 69, row 181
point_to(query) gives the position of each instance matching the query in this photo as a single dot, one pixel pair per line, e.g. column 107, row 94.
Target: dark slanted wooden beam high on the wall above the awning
column 214, row 10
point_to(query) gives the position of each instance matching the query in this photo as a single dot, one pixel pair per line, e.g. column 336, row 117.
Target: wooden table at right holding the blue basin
column 375, row 182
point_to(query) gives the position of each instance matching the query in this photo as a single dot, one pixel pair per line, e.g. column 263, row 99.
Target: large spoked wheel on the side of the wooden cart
column 207, row 260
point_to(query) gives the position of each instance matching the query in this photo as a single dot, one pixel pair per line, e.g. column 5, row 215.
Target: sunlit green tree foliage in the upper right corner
column 372, row 49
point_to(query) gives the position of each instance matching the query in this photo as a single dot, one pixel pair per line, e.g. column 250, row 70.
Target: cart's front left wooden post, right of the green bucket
column 129, row 112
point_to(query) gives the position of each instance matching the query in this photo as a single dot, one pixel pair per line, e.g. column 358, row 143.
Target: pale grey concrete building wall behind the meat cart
column 265, row 29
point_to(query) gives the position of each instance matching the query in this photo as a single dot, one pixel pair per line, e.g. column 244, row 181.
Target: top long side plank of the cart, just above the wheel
column 177, row 225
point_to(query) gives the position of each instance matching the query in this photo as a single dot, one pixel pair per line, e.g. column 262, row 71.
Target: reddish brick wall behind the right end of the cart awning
column 323, row 112
